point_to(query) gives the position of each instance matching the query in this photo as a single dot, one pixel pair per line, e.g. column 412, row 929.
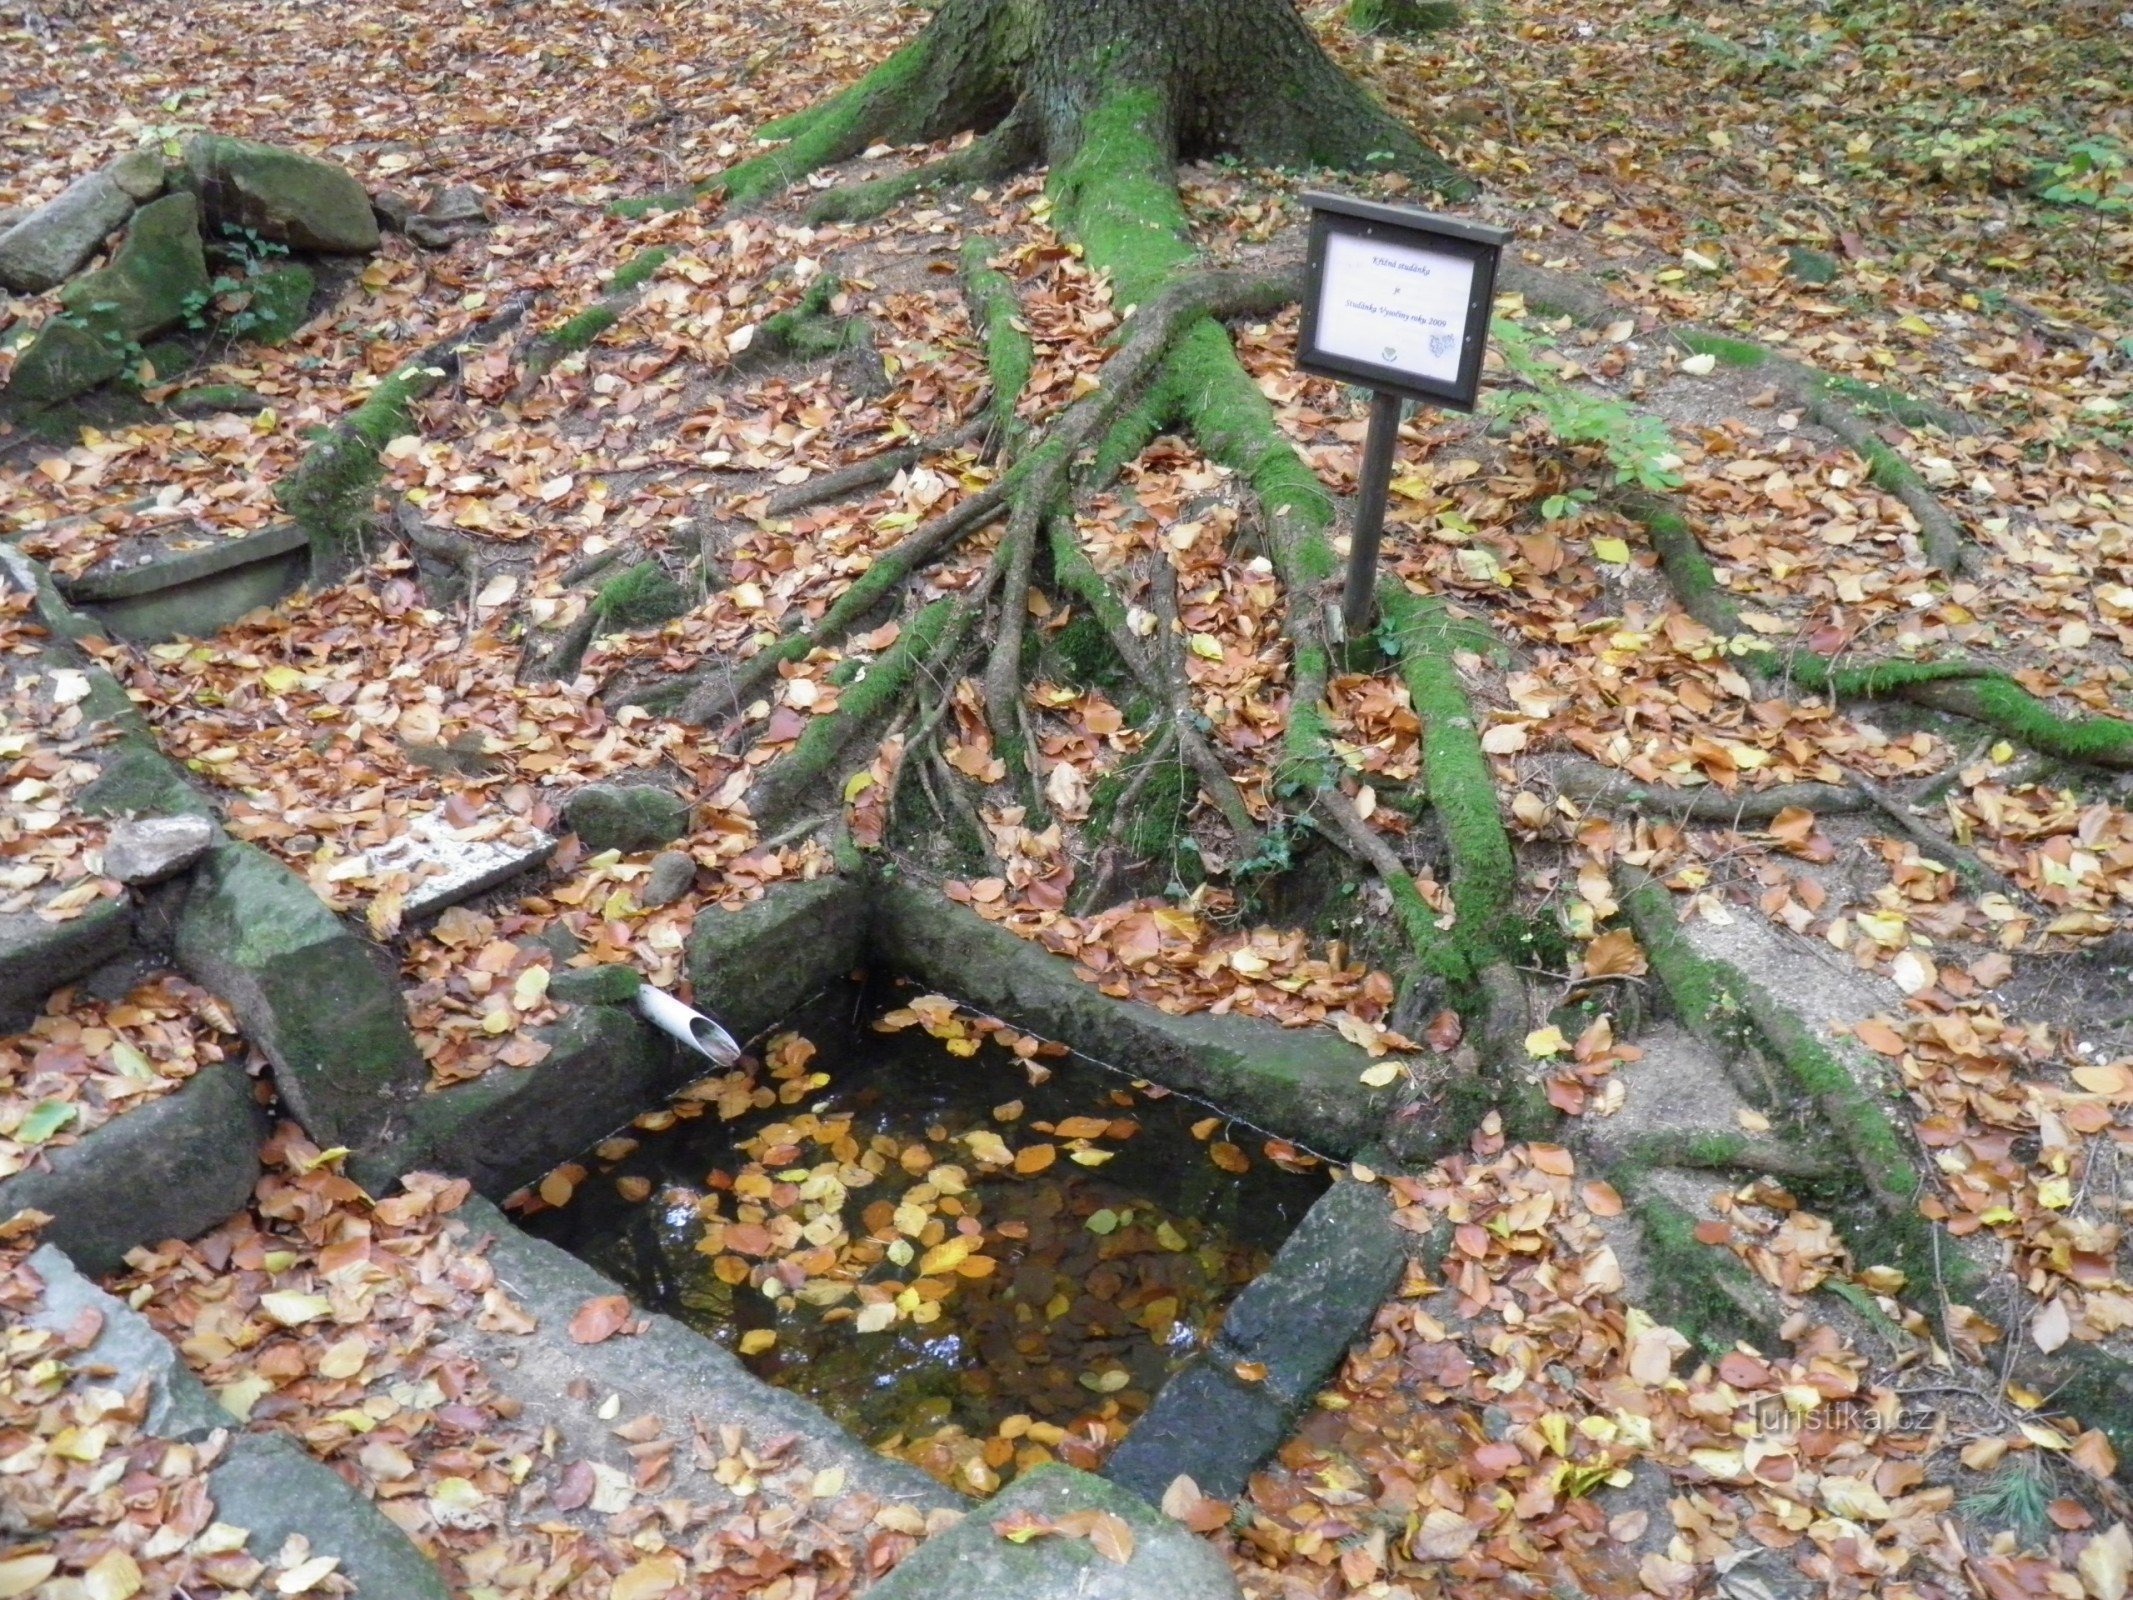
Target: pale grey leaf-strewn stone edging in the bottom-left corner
column 266, row 1484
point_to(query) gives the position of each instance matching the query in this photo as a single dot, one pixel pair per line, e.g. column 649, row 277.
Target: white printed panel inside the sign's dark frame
column 1394, row 306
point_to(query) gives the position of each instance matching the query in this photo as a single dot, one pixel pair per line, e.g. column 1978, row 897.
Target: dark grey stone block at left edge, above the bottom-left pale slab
column 167, row 1170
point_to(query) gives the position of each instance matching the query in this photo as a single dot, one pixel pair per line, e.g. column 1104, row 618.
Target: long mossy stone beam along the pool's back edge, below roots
column 1302, row 1085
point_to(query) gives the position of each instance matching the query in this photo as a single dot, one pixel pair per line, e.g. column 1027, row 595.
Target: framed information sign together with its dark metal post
column 1396, row 302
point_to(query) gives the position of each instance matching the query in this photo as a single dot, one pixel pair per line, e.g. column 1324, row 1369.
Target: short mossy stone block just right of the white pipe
column 754, row 967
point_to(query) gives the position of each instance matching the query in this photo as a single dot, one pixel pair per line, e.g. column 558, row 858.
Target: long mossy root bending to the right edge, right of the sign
column 1961, row 688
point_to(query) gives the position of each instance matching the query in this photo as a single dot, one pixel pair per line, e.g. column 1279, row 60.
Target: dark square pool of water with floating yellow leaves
column 972, row 1249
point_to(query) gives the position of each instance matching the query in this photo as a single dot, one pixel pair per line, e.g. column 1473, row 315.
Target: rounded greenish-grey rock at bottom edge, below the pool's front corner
column 974, row 1563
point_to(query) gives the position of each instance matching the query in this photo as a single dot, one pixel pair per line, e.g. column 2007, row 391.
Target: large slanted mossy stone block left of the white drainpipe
column 310, row 993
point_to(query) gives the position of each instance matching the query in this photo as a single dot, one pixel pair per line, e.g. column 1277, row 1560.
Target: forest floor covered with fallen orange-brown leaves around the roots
column 1469, row 1441
